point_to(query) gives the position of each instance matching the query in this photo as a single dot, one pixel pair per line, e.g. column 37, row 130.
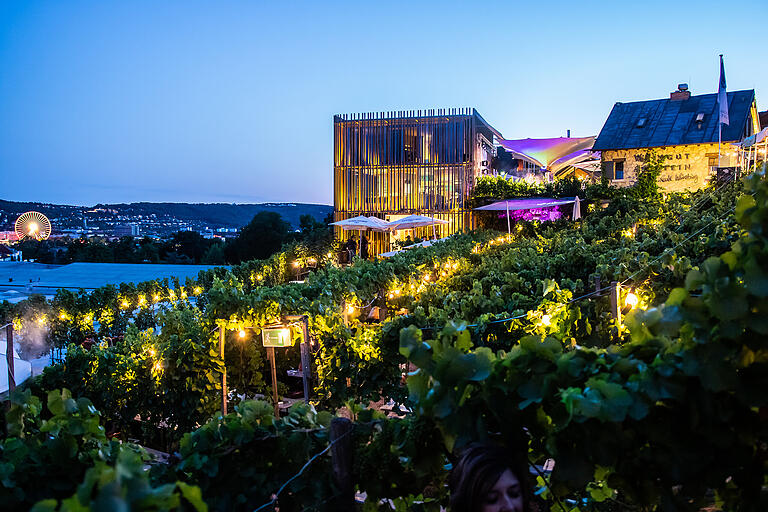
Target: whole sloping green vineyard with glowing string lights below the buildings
column 485, row 336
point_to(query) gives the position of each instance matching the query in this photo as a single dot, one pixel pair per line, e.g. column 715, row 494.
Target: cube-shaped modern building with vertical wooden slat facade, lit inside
column 393, row 164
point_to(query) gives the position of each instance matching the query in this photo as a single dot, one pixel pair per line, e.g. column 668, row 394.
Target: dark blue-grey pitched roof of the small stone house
column 667, row 122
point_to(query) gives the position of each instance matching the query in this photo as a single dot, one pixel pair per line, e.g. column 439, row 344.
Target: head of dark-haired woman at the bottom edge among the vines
column 487, row 478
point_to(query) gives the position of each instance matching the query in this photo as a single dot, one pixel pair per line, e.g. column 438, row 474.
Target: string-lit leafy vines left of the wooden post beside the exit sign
column 170, row 381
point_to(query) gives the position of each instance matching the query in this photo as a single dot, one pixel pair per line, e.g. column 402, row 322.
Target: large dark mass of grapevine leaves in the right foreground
column 661, row 420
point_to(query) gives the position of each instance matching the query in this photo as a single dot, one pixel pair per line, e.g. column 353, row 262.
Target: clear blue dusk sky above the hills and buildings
column 110, row 101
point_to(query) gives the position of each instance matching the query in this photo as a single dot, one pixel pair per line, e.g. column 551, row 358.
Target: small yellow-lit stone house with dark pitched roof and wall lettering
column 683, row 128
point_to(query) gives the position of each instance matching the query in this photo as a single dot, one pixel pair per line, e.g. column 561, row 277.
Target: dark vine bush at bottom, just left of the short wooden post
column 241, row 460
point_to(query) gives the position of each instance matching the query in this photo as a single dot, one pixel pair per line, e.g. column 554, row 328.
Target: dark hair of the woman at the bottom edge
column 477, row 471
